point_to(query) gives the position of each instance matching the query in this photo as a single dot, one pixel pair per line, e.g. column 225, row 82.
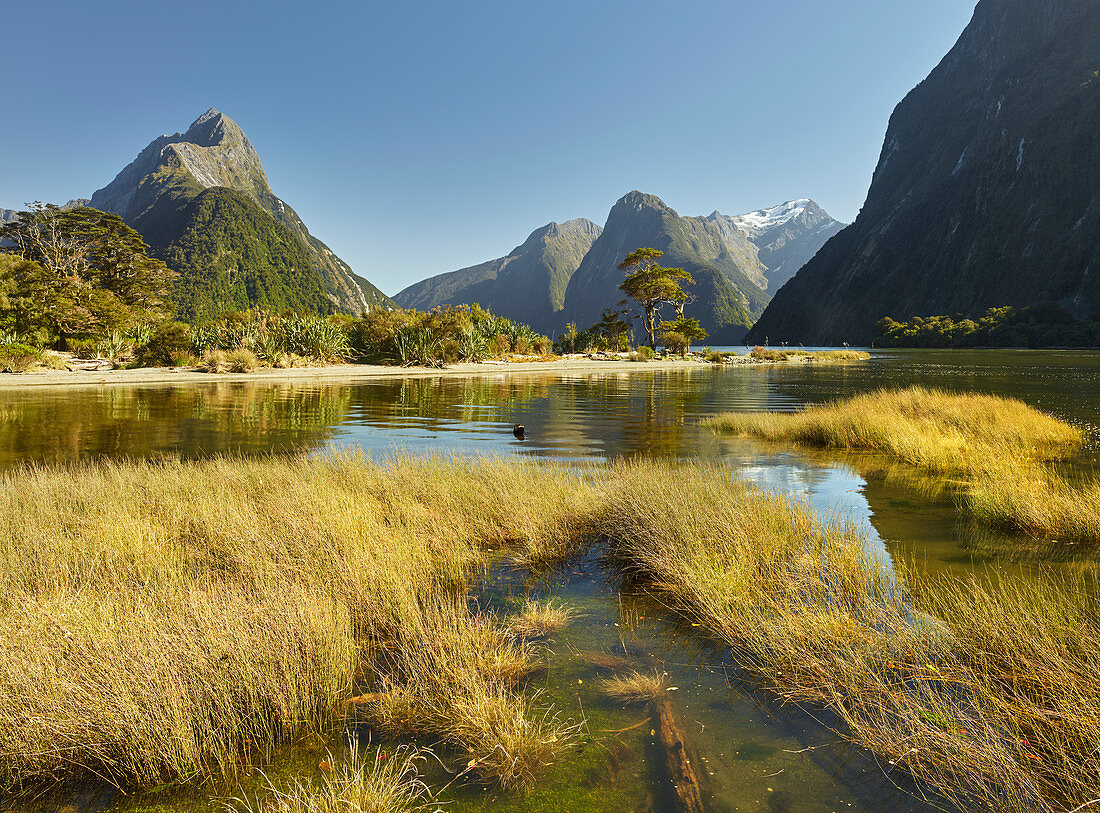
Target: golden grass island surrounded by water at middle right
column 930, row 430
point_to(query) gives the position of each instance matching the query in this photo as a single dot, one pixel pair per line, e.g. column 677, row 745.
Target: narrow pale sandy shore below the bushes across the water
column 342, row 372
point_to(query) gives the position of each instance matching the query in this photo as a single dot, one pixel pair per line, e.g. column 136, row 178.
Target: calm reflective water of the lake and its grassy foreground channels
column 758, row 757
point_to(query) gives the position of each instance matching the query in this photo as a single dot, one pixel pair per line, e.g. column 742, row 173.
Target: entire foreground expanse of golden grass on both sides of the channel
column 162, row 619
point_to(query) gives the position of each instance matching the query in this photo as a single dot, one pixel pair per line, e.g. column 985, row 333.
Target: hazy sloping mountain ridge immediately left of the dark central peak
column 527, row 285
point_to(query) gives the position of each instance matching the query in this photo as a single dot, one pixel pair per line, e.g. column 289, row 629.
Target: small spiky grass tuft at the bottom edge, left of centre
column 373, row 783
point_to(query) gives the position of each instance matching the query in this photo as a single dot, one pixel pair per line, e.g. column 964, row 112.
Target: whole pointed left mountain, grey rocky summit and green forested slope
column 159, row 193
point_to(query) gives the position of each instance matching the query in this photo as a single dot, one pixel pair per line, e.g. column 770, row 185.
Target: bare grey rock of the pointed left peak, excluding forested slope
column 155, row 194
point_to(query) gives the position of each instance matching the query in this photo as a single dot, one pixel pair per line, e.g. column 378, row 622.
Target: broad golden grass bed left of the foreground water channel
column 159, row 620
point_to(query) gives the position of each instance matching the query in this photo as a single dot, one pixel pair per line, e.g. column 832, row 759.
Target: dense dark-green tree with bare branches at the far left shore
column 85, row 273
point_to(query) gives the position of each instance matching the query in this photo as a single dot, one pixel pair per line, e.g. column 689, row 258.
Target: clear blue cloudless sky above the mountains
column 417, row 138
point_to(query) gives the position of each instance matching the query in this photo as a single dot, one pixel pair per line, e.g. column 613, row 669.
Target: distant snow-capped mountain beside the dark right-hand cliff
column 787, row 236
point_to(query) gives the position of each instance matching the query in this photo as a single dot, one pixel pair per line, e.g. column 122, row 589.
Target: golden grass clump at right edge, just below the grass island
column 1037, row 501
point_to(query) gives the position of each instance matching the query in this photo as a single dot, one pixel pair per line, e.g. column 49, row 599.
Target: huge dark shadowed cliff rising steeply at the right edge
column 987, row 192
